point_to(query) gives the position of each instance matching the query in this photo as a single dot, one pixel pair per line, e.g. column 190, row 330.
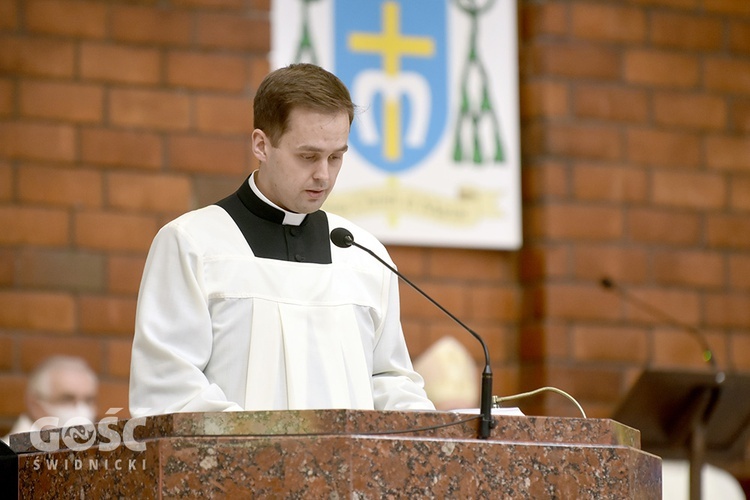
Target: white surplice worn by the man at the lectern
column 219, row 329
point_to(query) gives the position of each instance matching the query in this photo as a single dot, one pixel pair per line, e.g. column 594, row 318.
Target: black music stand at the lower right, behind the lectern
column 701, row 416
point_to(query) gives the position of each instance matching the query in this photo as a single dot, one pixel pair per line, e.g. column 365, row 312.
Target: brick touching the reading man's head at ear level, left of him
column 208, row 154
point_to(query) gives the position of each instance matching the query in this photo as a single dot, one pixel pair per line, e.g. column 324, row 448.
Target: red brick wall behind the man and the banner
column 116, row 116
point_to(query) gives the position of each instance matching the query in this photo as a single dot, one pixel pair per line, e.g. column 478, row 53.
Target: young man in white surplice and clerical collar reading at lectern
column 246, row 305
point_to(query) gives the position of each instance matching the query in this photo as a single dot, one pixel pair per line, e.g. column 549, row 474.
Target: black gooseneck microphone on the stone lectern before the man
column 343, row 238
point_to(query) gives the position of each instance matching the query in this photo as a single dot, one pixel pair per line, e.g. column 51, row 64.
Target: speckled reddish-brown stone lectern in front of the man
column 346, row 454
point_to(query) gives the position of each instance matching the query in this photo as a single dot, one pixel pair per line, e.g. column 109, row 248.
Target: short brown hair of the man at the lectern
column 301, row 85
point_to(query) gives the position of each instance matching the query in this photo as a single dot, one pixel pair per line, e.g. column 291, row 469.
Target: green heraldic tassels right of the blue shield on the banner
column 474, row 113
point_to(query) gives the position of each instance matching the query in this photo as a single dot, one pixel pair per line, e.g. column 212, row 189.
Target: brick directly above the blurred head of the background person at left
column 34, row 350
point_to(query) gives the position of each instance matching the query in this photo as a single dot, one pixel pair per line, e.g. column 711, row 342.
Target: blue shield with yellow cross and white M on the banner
column 392, row 56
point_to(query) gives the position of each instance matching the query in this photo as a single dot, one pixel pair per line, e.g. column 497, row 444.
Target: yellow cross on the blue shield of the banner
column 392, row 46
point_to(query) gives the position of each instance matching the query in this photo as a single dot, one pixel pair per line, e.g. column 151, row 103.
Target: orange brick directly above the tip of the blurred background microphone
column 623, row 265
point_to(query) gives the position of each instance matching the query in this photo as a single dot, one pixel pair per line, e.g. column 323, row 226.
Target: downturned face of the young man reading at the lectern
column 299, row 173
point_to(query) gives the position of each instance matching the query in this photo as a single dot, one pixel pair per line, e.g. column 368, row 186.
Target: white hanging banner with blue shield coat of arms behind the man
column 434, row 150
